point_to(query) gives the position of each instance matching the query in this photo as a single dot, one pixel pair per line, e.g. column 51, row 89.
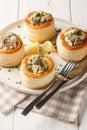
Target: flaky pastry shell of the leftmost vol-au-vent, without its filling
column 13, row 57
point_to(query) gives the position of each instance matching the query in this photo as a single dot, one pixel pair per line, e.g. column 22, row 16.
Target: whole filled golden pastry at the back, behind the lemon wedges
column 39, row 26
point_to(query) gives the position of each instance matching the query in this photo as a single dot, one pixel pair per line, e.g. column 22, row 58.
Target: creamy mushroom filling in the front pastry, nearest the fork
column 37, row 64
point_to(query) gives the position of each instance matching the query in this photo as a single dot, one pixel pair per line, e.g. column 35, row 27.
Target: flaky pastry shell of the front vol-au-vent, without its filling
column 35, row 80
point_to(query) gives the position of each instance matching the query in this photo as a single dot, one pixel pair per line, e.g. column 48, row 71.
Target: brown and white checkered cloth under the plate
column 65, row 106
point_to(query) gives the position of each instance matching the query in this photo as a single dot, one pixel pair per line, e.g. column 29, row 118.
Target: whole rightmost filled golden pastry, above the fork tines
column 72, row 44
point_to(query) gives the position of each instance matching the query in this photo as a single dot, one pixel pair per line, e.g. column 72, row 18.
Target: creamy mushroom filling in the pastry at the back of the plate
column 39, row 18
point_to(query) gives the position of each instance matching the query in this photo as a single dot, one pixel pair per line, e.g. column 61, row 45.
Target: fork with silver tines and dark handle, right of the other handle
column 64, row 72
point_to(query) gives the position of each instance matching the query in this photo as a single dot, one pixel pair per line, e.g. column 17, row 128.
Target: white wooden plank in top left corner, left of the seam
column 8, row 12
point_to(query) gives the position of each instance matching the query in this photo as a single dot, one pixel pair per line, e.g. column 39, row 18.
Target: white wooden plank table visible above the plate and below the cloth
column 13, row 10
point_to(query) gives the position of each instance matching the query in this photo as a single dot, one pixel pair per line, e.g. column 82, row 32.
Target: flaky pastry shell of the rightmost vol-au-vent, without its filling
column 70, row 53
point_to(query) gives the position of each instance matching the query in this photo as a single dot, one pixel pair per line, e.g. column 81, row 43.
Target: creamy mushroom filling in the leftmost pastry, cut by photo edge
column 8, row 42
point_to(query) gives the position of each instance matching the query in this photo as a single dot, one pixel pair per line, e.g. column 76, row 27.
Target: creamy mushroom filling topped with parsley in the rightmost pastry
column 74, row 37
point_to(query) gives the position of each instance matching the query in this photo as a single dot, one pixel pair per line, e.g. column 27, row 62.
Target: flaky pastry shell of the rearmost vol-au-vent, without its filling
column 40, row 33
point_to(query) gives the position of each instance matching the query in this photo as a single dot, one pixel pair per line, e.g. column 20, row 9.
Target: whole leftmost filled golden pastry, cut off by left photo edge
column 11, row 50
